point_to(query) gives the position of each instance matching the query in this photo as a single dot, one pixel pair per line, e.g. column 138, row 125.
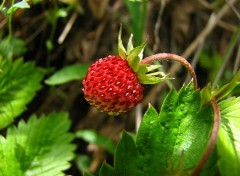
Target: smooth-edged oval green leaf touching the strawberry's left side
column 68, row 73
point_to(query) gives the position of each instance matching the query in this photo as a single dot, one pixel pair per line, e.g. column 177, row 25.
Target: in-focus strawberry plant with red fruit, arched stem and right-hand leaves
column 192, row 134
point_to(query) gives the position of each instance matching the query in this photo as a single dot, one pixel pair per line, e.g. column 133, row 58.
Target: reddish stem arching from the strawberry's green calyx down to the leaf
column 173, row 57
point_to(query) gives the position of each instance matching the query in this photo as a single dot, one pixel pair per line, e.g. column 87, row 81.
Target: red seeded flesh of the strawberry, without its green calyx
column 112, row 86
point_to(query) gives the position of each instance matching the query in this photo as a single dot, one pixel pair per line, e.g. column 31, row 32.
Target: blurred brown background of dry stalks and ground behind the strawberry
column 59, row 33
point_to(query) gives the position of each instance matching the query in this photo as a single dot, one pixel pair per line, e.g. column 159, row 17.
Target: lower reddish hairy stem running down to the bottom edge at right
column 212, row 140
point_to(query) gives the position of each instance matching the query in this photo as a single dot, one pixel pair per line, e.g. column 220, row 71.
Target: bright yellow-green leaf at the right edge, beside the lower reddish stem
column 228, row 143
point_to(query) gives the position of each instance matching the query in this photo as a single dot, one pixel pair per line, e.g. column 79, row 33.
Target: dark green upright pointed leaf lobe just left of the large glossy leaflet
column 149, row 144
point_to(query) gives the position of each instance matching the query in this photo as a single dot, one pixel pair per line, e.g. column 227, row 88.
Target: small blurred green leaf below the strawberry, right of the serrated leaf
column 93, row 137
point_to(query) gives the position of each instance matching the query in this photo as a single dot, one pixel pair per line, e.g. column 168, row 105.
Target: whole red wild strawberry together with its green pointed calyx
column 114, row 84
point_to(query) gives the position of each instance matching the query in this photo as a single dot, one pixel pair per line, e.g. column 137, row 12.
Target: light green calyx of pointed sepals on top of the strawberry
column 146, row 73
